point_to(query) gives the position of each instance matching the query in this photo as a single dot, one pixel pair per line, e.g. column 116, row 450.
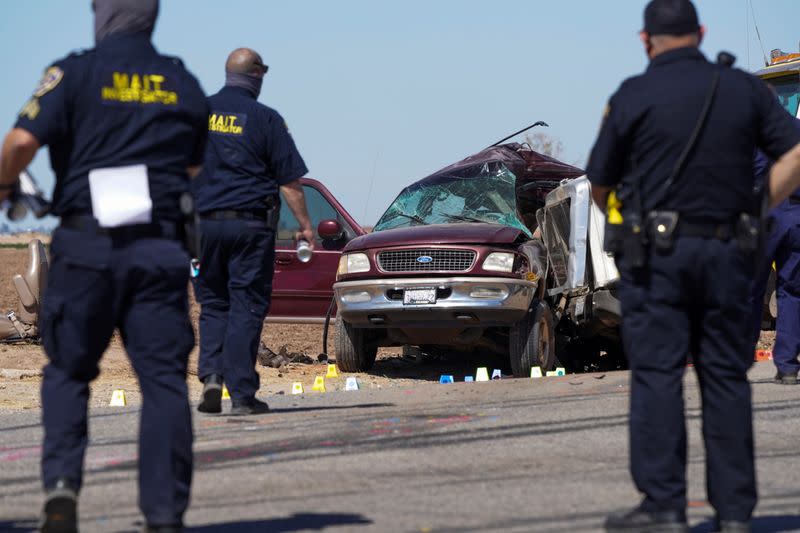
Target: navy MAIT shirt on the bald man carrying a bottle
column 249, row 154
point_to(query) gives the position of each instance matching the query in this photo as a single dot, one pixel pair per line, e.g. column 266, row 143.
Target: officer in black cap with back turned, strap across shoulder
column 676, row 149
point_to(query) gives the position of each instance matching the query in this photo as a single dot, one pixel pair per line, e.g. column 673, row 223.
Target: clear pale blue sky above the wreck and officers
column 378, row 94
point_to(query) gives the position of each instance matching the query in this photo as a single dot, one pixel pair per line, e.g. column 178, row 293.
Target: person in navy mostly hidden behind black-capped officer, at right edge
column 782, row 248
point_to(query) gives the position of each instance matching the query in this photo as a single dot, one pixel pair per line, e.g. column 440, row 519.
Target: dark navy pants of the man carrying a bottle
column 234, row 288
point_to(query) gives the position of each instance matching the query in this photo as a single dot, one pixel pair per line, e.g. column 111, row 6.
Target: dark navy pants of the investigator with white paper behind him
column 97, row 283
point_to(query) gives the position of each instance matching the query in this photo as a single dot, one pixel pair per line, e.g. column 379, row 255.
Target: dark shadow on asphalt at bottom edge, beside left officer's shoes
column 297, row 522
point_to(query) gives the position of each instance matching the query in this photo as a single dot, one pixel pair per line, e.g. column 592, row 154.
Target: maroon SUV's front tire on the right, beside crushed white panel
column 532, row 341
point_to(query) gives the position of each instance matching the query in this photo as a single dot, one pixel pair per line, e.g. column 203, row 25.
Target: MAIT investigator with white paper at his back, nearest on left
column 126, row 127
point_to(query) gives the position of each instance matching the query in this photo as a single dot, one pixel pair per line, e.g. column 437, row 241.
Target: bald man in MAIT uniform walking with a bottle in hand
column 250, row 158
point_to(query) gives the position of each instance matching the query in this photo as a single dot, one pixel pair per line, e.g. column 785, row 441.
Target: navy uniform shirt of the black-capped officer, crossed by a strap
column 651, row 117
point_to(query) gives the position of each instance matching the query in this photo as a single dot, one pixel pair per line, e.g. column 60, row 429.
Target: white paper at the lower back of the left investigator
column 121, row 196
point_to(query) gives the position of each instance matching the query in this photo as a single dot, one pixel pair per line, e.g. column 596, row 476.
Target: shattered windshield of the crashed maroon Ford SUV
column 484, row 193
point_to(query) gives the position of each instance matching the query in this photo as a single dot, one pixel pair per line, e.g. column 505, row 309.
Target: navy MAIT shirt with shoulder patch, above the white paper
column 121, row 103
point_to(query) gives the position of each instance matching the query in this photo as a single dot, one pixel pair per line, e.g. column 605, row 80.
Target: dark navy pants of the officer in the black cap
column 692, row 300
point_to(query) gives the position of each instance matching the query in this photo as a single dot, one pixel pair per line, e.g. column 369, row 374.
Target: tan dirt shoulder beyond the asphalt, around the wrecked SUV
column 21, row 364
